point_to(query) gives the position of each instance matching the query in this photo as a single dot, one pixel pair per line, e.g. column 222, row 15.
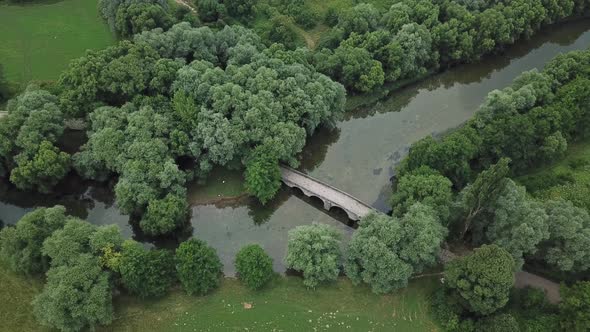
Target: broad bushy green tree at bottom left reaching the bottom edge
column 75, row 296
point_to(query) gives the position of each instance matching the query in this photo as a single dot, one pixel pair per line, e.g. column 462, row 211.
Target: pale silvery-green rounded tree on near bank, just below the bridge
column 315, row 251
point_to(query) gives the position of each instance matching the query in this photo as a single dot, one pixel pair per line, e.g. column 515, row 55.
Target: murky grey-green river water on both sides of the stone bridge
column 358, row 157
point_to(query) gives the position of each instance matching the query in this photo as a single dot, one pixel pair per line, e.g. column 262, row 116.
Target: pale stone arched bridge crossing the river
column 330, row 196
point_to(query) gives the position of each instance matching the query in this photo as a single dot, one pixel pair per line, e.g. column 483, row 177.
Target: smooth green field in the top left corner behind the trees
column 40, row 38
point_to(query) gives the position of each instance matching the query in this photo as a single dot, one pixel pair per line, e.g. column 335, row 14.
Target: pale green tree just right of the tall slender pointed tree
column 519, row 223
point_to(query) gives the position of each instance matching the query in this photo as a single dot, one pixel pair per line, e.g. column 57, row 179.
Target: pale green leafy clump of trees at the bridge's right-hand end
column 384, row 251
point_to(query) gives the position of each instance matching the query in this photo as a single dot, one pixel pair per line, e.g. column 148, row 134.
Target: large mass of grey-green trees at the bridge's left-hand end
column 205, row 112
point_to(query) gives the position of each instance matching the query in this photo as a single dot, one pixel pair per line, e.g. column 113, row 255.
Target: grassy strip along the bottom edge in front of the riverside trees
column 285, row 305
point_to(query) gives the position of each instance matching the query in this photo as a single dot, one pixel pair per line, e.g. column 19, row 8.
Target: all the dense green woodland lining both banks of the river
column 179, row 95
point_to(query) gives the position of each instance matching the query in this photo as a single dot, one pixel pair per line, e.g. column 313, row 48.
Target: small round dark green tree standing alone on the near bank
column 254, row 266
